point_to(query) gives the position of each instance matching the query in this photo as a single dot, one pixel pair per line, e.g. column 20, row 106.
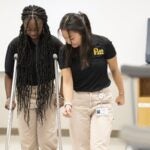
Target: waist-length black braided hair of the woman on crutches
column 44, row 64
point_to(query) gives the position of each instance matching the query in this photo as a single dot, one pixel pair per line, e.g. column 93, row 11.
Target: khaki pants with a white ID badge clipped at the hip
column 89, row 129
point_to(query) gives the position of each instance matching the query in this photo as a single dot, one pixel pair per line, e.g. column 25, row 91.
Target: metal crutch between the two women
column 57, row 101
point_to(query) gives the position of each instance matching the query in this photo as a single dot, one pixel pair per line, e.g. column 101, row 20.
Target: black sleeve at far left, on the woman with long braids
column 9, row 59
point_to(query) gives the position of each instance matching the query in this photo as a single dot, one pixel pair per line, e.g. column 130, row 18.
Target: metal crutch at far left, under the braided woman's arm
column 10, row 112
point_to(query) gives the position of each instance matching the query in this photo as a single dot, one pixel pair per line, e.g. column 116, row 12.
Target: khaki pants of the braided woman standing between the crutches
column 36, row 134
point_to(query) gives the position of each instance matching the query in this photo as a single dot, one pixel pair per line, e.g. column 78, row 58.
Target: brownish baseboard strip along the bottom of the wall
column 65, row 132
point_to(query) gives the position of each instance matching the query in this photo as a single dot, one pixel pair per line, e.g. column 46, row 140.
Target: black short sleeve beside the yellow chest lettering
column 110, row 51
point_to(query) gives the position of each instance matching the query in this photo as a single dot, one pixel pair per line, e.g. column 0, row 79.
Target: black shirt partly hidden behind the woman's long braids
column 12, row 49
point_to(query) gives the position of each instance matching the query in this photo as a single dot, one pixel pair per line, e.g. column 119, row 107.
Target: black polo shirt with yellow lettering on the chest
column 95, row 76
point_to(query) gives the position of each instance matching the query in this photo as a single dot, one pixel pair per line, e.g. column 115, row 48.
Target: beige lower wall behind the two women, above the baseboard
column 123, row 114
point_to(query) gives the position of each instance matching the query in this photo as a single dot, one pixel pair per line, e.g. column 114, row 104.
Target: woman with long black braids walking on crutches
column 35, row 47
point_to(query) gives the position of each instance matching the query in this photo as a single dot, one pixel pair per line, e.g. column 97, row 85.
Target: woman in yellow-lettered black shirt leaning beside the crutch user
column 84, row 60
